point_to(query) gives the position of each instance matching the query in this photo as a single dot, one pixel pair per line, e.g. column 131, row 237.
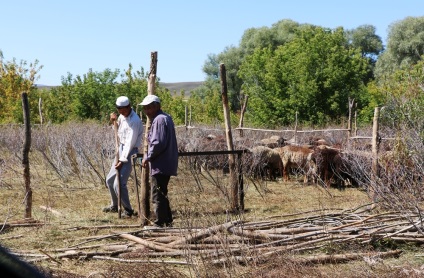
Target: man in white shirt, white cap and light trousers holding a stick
column 130, row 130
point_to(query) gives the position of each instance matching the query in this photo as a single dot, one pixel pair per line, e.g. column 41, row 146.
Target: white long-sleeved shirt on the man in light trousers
column 130, row 130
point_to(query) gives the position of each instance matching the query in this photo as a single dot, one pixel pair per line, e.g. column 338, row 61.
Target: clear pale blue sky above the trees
column 75, row 36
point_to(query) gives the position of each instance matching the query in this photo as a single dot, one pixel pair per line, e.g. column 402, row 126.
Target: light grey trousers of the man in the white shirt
column 112, row 181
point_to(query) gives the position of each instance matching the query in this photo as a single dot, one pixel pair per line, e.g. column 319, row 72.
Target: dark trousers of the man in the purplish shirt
column 160, row 200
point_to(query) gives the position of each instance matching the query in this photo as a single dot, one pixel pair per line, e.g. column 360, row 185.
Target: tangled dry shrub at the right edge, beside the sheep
column 399, row 182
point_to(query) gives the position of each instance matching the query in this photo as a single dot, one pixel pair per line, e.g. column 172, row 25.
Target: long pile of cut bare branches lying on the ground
column 243, row 241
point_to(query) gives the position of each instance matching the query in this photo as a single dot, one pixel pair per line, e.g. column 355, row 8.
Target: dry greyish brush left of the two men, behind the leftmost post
column 74, row 150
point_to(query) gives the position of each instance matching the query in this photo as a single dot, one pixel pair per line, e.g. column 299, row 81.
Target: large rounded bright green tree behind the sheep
column 314, row 74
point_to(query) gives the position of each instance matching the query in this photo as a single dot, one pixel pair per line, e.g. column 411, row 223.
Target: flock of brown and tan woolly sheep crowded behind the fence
column 275, row 157
